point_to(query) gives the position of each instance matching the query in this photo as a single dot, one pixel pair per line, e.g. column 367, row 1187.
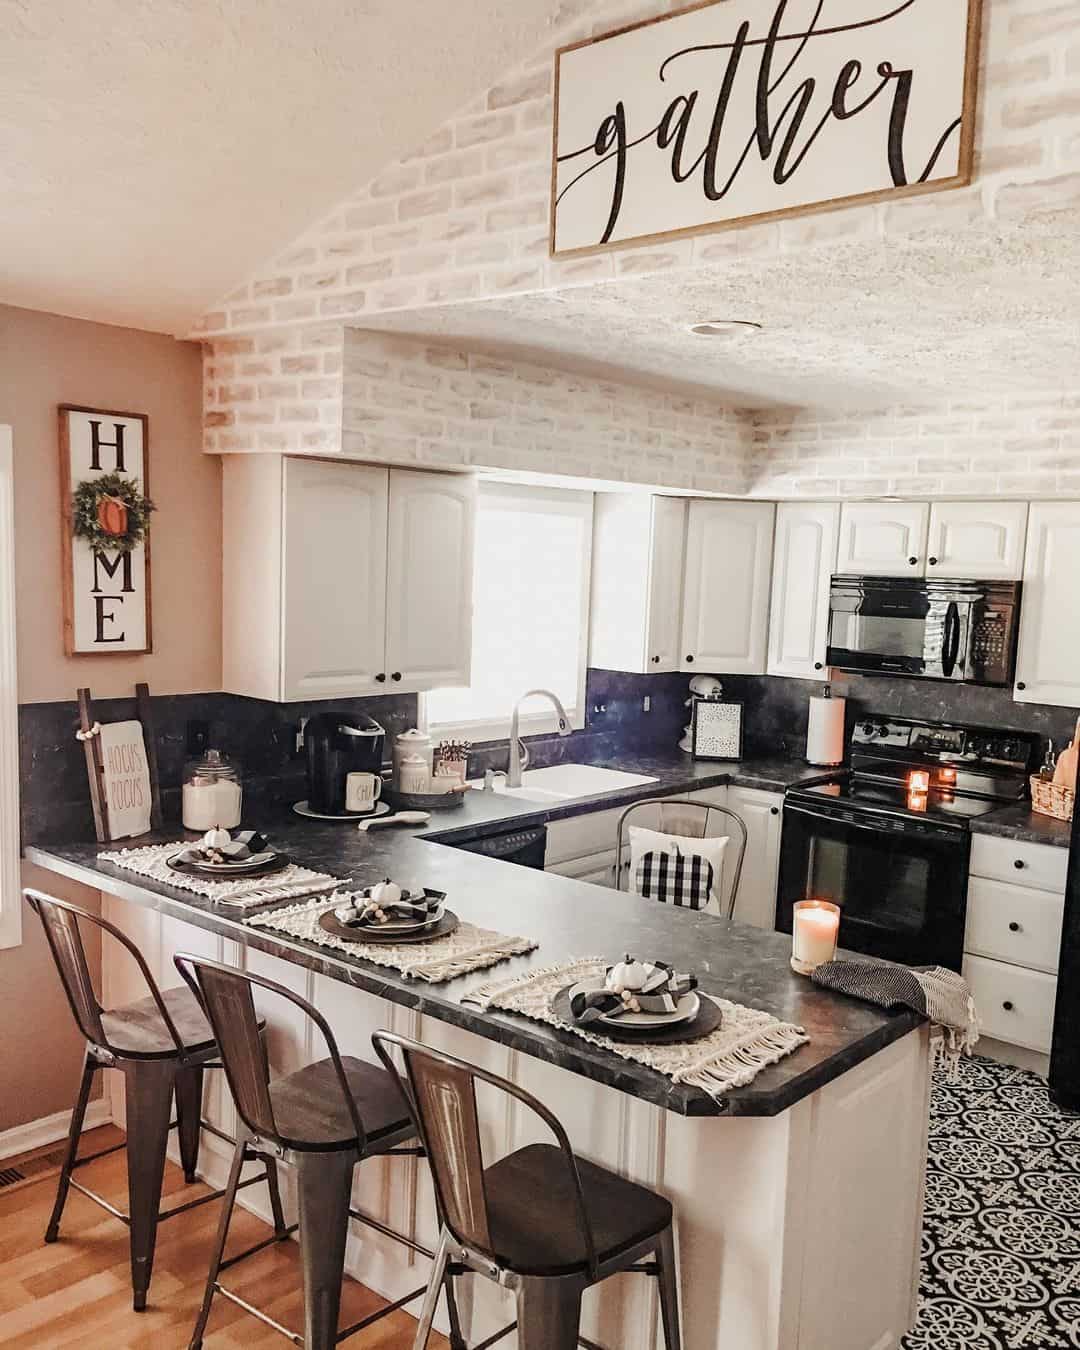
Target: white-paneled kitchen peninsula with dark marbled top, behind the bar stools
column 831, row 1140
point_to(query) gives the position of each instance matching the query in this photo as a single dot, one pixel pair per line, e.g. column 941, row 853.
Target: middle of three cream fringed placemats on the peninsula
column 469, row 948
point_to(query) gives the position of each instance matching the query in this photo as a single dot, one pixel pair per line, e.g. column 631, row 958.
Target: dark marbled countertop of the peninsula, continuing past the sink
column 569, row 920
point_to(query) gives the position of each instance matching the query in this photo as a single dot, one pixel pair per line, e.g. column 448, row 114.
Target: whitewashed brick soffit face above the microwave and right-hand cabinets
column 1027, row 448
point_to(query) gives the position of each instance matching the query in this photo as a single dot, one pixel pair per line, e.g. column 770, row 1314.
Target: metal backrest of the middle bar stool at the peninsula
column 227, row 998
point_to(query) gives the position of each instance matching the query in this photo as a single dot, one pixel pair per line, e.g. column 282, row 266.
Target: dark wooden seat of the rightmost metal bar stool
column 533, row 1213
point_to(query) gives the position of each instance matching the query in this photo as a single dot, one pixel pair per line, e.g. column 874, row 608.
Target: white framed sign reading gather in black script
column 739, row 111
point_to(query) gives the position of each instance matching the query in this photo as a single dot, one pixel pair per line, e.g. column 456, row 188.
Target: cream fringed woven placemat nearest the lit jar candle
column 730, row 1058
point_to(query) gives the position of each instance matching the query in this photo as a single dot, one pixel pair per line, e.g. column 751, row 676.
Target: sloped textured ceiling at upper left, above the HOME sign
column 153, row 155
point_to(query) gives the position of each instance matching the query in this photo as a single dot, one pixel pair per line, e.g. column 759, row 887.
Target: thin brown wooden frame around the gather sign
column 963, row 179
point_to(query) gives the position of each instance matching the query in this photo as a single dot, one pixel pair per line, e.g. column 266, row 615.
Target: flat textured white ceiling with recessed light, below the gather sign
column 944, row 317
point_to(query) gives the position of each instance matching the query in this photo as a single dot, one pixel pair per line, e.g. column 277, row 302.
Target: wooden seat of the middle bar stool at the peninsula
column 313, row 1116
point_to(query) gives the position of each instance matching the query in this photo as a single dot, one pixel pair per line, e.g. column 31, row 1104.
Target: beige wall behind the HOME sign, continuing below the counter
column 47, row 361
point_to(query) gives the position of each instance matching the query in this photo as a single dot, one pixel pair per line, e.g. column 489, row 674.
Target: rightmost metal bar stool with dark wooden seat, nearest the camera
column 542, row 1221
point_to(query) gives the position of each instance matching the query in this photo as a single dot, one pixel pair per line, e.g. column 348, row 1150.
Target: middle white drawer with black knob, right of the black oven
column 1015, row 924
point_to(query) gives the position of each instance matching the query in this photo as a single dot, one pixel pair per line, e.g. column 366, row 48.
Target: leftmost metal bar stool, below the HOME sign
column 163, row 1044
